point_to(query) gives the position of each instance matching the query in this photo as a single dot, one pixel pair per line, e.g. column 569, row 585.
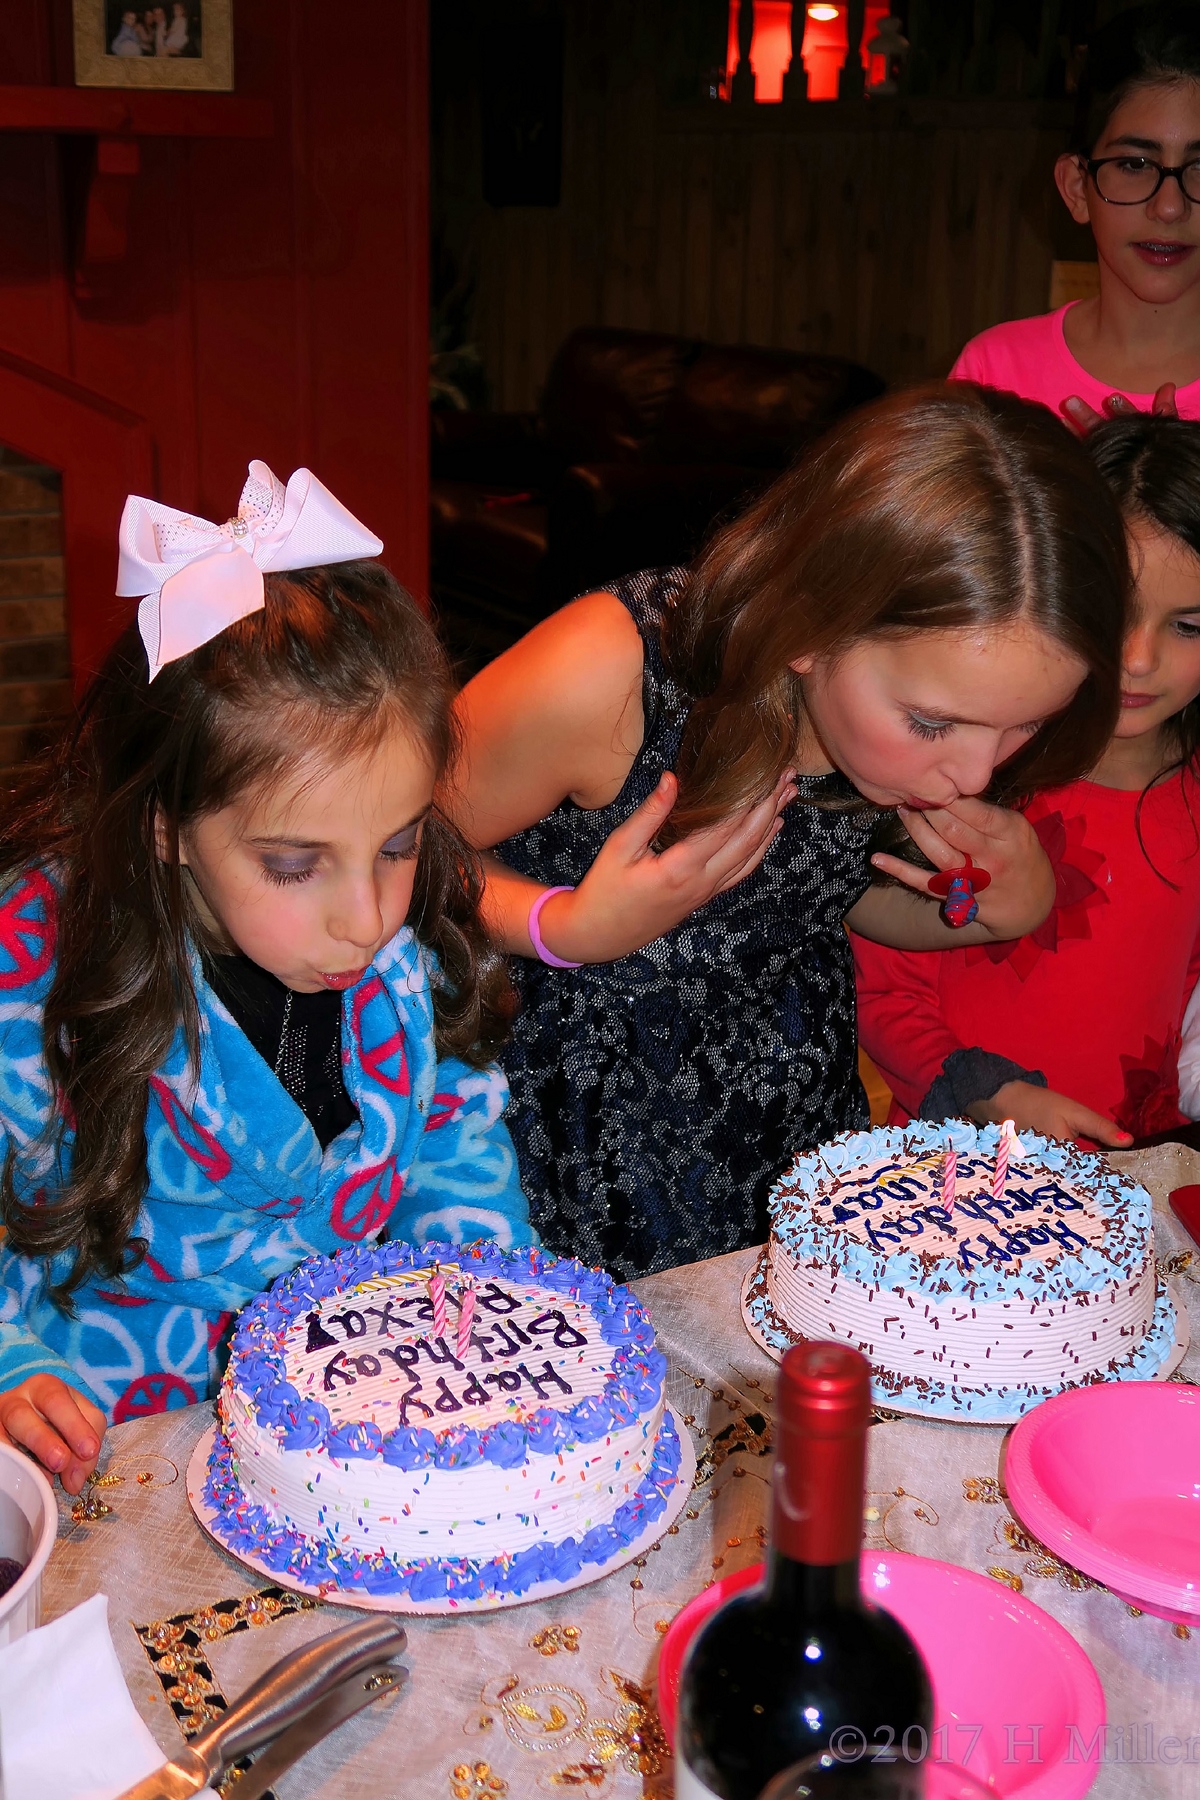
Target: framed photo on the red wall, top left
column 184, row 44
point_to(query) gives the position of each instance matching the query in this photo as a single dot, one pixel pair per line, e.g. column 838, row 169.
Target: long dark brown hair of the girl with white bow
column 336, row 660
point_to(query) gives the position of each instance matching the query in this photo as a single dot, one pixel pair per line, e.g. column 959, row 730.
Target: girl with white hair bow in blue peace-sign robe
column 249, row 1003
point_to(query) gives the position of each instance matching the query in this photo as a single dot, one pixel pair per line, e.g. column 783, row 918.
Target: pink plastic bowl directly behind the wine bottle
column 1001, row 1668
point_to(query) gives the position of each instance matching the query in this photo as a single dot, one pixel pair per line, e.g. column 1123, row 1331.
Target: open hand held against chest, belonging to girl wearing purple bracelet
column 632, row 894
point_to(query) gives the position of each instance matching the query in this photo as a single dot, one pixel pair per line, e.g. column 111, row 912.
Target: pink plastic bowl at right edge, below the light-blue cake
column 1109, row 1479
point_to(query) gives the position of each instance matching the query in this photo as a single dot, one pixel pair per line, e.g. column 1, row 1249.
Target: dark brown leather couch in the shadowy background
column 640, row 445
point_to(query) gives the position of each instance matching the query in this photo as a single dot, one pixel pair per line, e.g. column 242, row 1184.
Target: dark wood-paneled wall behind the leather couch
column 886, row 231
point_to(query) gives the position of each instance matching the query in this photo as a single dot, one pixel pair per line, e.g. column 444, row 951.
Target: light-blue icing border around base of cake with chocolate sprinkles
column 944, row 1399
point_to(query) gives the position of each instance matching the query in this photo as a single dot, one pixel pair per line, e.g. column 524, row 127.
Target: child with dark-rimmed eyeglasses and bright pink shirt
column 1134, row 177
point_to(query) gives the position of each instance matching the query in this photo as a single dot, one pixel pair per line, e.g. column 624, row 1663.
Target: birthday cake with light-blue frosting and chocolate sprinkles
column 978, row 1281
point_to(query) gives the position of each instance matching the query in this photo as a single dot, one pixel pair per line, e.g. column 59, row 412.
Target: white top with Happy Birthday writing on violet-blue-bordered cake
column 386, row 1340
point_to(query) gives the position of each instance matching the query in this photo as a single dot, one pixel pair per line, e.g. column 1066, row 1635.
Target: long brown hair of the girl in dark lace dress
column 935, row 510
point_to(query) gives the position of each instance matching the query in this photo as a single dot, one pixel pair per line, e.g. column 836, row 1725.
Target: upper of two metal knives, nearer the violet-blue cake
column 273, row 1705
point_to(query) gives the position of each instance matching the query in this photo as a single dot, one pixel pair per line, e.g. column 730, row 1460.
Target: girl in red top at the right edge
column 1075, row 1029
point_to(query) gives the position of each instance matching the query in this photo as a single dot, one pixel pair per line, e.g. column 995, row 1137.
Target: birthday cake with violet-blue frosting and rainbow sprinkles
column 442, row 1423
